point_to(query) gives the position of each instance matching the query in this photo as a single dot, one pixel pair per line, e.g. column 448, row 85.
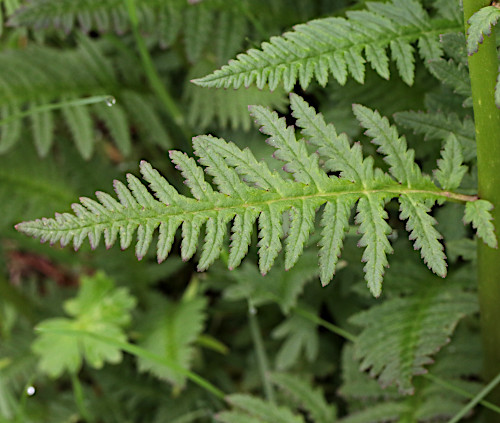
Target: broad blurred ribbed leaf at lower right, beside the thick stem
column 414, row 328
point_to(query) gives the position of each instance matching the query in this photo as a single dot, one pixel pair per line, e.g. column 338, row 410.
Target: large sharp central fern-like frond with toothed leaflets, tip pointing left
column 249, row 192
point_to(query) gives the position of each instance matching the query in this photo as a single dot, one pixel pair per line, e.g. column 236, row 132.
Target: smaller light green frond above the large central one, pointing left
column 335, row 46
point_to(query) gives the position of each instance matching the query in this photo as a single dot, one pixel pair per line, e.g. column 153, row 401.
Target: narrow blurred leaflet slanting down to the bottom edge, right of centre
column 310, row 399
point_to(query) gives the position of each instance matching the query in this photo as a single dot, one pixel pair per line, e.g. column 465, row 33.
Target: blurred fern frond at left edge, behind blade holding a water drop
column 32, row 80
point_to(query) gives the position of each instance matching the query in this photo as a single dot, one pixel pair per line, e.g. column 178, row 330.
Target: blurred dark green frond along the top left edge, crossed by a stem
column 198, row 22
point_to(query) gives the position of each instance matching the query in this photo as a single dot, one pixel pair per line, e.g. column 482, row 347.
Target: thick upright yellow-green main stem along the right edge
column 483, row 68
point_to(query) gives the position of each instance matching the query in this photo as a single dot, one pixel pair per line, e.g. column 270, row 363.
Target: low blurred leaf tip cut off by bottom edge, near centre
column 249, row 409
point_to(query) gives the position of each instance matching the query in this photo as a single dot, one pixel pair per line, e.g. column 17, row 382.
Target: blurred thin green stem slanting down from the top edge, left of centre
column 151, row 73
